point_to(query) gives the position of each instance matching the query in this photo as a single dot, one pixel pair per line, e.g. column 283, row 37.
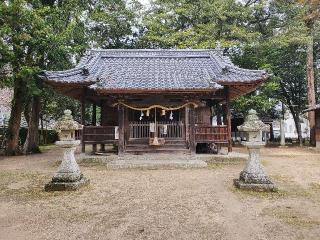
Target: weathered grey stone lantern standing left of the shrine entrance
column 68, row 176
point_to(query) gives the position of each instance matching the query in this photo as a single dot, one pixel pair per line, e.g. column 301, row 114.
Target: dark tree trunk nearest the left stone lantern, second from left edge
column 31, row 144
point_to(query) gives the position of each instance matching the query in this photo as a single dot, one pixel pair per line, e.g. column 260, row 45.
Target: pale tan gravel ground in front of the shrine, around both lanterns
column 162, row 204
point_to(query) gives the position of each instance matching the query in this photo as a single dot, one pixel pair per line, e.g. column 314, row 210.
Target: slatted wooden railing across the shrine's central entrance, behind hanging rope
column 141, row 130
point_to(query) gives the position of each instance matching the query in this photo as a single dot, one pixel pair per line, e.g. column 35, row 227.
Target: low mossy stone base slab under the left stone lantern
column 66, row 186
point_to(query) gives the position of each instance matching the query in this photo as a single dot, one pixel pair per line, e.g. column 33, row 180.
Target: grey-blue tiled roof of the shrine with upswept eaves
column 140, row 69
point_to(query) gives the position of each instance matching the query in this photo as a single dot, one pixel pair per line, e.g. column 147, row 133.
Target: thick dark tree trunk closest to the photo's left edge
column 15, row 117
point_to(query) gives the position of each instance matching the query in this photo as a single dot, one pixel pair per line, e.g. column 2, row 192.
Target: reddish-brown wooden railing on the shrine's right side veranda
column 216, row 134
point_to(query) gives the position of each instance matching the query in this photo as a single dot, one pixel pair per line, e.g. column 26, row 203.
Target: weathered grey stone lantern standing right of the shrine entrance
column 254, row 176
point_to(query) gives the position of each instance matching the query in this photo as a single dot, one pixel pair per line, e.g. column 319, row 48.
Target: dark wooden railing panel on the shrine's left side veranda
column 98, row 134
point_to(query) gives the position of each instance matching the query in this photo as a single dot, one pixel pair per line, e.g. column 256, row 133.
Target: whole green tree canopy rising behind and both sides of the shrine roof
column 276, row 35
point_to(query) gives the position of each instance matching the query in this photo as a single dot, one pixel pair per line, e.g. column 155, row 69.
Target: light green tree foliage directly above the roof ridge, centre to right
column 199, row 24
